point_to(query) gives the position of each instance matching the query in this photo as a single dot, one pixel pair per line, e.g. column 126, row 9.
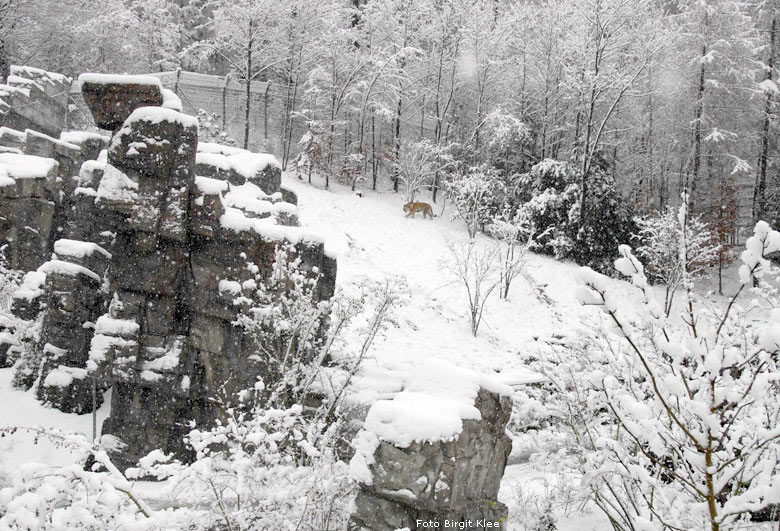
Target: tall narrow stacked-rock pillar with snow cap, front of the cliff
column 141, row 343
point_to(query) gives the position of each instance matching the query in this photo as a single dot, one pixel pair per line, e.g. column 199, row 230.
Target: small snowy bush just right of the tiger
column 474, row 195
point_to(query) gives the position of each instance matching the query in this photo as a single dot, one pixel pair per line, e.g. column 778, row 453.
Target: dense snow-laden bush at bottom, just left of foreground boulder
column 262, row 468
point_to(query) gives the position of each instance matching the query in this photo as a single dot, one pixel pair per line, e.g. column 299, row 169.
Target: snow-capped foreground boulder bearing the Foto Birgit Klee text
column 434, row 455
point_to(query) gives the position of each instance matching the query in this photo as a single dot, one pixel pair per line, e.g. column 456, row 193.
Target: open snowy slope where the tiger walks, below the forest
column 374, row 241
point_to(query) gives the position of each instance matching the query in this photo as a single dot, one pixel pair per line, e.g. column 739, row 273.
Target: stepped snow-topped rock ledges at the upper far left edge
column 38, row 171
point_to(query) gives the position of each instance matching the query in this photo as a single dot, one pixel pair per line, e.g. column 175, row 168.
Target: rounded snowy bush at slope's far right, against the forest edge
column 661, row 238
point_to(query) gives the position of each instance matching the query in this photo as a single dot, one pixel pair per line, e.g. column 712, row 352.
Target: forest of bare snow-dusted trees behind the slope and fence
column 663, row 96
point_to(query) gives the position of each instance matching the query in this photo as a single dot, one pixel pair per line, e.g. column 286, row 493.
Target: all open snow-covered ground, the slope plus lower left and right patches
column 374, row 242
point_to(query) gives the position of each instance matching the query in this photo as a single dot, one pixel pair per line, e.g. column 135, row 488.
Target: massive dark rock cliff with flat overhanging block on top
column 139, row 261
